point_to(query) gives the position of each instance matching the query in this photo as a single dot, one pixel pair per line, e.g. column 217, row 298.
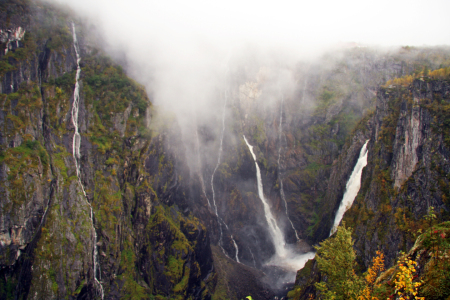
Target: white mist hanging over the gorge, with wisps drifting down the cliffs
column 191, row 54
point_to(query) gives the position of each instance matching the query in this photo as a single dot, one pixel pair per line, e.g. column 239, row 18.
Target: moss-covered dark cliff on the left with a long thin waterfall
column 139, row 238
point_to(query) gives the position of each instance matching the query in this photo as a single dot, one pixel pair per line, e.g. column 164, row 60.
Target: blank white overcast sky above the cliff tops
column 382, row 22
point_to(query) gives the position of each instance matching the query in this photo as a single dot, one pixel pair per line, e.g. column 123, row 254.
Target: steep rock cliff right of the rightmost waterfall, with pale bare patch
column 407, row 170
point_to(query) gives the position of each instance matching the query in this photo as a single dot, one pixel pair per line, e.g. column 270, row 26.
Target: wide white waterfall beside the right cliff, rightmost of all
column 352, row 188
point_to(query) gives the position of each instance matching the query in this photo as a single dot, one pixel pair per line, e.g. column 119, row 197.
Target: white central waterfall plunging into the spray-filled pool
column 275, row 232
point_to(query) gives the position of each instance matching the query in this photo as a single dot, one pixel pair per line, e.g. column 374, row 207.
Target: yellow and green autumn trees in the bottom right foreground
column 336, row 261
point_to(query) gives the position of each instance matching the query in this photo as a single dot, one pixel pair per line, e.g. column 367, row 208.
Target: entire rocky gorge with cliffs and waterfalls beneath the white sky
column 106, row 193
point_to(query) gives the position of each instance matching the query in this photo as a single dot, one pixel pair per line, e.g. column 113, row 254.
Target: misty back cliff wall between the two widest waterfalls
column 306, row 139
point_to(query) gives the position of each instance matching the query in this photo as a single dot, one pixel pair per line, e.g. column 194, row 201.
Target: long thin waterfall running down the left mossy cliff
column 76, row 154
